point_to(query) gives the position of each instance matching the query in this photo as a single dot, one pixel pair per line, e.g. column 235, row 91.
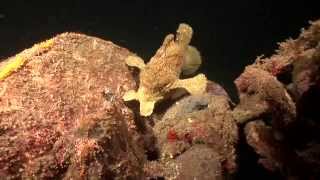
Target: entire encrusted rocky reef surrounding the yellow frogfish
column 63, row 116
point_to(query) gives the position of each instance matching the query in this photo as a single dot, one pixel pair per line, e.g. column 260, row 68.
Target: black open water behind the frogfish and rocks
column 229, row 34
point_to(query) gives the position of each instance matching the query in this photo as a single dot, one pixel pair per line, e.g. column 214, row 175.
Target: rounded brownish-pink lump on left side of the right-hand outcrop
column 261, row 93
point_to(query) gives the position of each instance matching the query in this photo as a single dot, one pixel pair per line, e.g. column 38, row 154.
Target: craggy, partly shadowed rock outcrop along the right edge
column 279, row 94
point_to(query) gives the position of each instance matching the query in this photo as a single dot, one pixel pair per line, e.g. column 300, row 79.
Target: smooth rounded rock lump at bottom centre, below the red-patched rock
column 198, row 162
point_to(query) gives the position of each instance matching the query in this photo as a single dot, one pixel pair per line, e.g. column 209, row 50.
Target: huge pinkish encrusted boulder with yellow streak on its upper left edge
column 61, row 113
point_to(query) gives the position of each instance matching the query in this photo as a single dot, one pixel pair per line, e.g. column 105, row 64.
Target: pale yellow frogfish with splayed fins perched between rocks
column 161, row 74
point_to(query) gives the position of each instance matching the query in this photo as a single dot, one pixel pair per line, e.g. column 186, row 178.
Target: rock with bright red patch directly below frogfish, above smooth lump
column 194, row 120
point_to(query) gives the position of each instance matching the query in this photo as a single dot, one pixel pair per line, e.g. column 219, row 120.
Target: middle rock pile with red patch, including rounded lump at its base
column 200, row 124
